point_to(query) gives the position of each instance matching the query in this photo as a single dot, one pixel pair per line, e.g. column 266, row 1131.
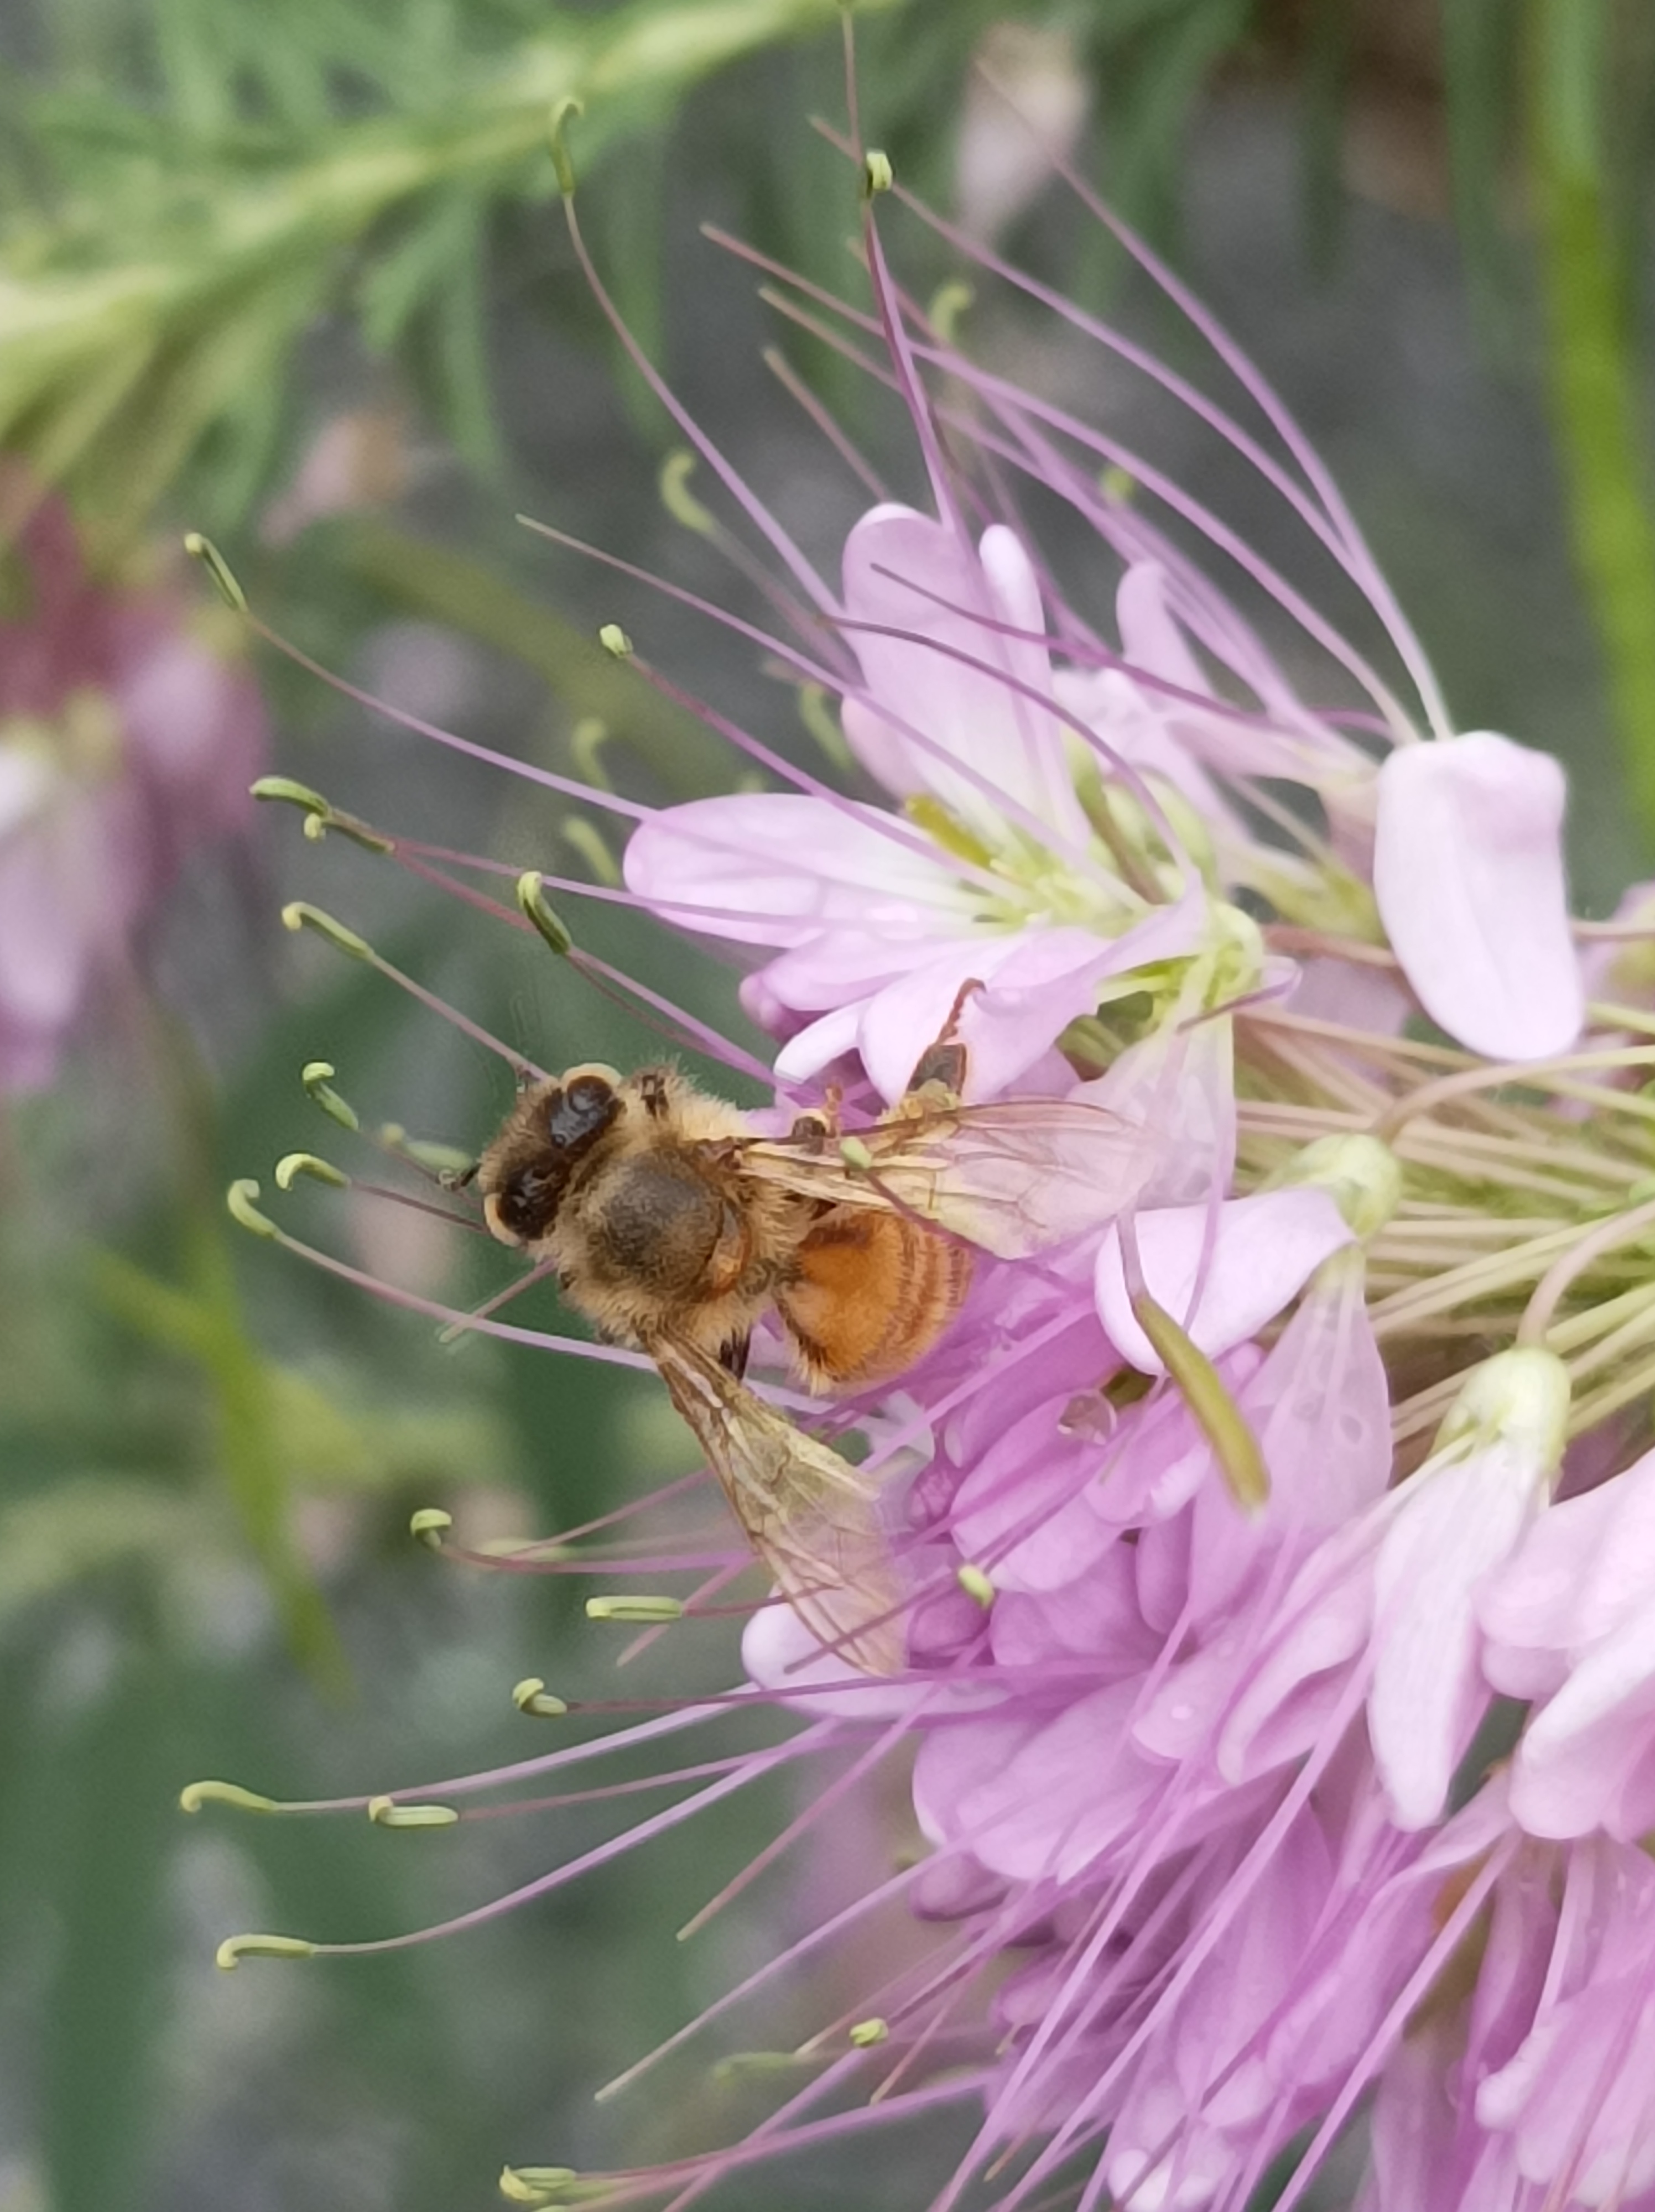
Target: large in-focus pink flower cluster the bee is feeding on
column 1278, row 1541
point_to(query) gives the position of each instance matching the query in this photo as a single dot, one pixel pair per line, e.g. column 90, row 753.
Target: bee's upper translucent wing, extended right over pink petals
column 1012, row 1176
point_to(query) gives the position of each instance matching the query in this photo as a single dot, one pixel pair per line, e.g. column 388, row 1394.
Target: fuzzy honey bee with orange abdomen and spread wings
column 676, row 1229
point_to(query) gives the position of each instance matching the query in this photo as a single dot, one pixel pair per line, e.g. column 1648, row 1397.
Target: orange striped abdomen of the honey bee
column 868, row 1295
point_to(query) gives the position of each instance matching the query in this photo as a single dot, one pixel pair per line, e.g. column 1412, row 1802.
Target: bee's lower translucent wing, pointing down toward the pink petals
column 806, row 1512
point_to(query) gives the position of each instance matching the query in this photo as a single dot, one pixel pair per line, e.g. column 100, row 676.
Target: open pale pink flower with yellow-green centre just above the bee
column 997, row 881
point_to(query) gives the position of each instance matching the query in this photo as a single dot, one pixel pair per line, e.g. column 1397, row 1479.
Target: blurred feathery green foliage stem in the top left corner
column 167, row 251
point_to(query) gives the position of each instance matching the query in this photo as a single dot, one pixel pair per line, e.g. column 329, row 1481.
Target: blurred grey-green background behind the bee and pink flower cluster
column 295, row 275
